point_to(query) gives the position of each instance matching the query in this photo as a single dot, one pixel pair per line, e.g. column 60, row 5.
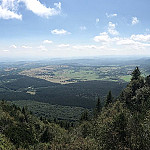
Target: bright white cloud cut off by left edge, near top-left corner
column 8, row 14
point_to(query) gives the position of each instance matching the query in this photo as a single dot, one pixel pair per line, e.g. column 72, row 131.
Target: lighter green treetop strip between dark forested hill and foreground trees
column 51, row 111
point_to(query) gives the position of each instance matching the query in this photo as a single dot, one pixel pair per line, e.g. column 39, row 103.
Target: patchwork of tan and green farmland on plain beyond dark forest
column 66, row 74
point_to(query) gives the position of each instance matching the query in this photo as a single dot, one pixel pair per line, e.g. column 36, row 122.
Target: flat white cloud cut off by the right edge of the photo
column 141, row 37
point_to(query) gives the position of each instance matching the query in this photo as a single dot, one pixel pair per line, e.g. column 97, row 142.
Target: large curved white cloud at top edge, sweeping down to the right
column 41, row 10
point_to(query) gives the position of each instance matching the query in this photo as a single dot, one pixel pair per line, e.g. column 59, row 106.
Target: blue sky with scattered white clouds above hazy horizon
column 43, row 29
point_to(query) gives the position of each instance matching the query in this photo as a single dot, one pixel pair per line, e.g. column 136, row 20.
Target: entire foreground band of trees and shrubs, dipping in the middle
column 120, row 124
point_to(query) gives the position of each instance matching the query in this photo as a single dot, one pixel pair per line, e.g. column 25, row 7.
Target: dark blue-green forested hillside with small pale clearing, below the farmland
column 82, row 94
